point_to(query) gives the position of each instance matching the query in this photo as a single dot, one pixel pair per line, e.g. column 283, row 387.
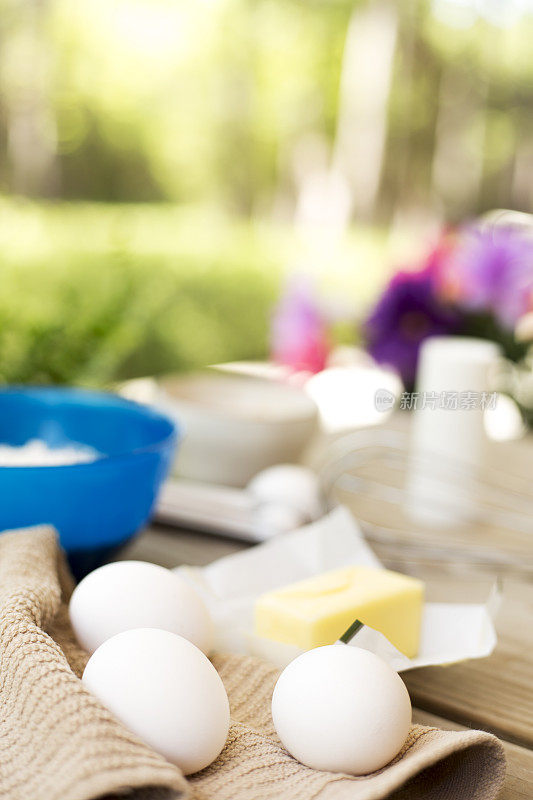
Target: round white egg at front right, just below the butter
column 342, row 709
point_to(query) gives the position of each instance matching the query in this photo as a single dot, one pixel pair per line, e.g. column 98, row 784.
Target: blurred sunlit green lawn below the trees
column 94, row 293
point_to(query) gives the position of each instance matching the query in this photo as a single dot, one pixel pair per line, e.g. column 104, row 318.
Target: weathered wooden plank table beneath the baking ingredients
column 495, row 693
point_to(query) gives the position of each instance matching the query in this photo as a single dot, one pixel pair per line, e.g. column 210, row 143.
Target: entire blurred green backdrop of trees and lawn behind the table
column 163, row 164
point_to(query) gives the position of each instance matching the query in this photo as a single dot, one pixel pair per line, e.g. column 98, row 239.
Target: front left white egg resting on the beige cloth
column 164, row 690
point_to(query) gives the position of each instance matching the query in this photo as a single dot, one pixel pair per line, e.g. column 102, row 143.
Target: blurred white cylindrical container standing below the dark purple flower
column 448, row 439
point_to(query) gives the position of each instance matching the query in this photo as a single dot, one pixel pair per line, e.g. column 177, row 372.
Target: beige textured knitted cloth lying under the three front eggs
column 58, row 743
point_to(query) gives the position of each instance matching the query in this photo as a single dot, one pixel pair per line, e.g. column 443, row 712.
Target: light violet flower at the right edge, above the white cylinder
column 492, row 270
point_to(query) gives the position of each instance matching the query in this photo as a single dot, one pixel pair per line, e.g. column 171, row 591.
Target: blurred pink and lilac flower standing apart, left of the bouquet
column 298, row 331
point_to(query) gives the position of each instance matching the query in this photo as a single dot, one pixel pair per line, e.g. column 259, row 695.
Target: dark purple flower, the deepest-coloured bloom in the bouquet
column 408, row 312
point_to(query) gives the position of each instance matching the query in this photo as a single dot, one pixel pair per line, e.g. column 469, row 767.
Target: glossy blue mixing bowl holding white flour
column 96, row 506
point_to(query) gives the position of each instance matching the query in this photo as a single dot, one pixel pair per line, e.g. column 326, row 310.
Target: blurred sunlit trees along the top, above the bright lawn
column 232, row 101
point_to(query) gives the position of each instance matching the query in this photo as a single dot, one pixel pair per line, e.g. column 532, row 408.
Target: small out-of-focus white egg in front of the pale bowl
column 290, row 485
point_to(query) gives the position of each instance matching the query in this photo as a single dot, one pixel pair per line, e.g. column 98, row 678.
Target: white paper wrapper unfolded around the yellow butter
column 451, row 632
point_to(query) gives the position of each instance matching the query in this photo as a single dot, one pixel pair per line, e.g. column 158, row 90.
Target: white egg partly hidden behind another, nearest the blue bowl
column 134, row 594
